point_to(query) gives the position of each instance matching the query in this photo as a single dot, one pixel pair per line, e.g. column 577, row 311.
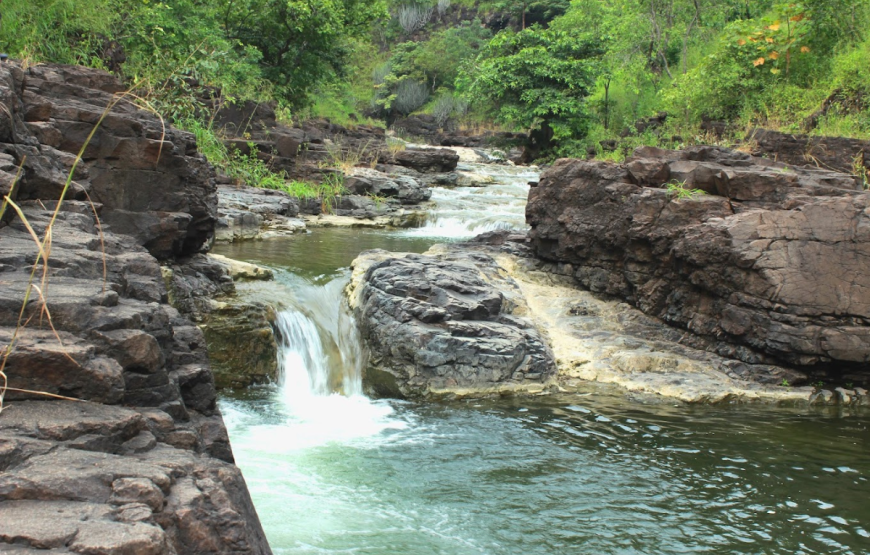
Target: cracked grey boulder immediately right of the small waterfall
column 436, row 325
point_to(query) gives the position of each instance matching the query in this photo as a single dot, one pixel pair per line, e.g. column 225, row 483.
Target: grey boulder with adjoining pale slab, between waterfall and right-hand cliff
column 489, row 318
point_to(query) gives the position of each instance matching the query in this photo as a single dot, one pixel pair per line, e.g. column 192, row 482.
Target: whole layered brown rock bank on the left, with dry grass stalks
column 141, row 463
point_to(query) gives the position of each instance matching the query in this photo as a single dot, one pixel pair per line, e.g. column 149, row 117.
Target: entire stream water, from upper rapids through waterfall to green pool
column 599, row 472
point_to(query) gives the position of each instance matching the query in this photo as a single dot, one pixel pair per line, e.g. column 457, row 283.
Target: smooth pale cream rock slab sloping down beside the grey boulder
column 608, row 341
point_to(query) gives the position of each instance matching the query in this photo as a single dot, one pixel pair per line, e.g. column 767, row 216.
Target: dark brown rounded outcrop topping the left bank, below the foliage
column 150, row 180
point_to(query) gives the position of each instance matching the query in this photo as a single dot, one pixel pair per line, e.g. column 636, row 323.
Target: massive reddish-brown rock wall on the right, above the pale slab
column 771, row 263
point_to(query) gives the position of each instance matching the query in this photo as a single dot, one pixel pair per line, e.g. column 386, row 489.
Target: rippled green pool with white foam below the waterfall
column 588, row 475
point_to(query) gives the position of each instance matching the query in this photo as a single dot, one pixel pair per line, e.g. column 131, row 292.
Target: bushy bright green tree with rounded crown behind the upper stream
column 536, row 79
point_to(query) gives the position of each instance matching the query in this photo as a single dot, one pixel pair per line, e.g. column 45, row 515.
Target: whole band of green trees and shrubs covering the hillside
column 575, row 73
